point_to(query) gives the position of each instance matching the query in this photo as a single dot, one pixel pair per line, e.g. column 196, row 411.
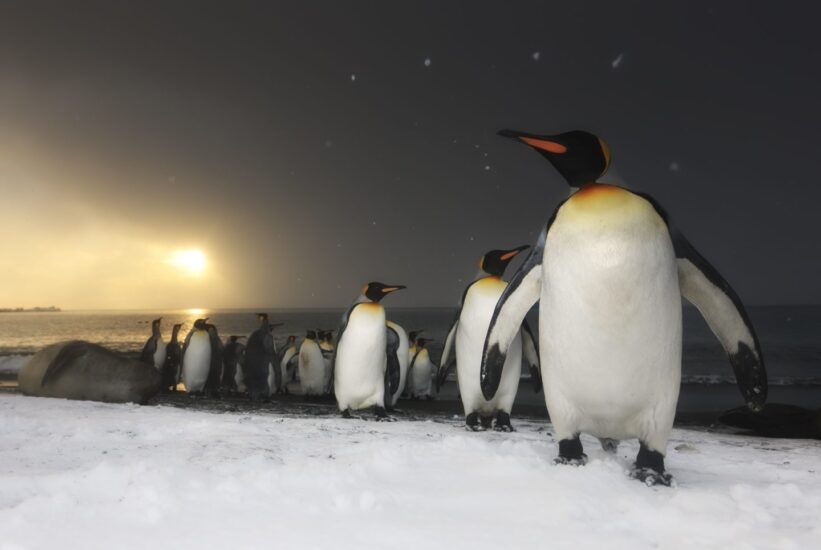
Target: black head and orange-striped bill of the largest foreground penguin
column 579, row 156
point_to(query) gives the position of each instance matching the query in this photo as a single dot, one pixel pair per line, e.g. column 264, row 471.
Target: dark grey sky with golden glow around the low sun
column 308, row 148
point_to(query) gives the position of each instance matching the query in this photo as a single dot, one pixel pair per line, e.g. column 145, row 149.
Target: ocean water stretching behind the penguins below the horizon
column 789, row 338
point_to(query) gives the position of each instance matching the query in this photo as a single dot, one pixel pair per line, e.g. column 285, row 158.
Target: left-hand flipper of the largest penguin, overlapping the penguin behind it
column 520, row 295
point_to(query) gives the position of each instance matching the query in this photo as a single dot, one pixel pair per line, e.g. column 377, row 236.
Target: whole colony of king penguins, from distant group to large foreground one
column 608, row 270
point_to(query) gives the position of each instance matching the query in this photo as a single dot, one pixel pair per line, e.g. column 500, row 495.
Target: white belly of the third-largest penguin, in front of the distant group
column 359, row 375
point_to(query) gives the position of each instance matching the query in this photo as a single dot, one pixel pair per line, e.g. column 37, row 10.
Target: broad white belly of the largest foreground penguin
column 610, row 324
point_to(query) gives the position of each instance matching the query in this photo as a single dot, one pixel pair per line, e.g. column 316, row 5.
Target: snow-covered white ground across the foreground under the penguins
column 92, row 475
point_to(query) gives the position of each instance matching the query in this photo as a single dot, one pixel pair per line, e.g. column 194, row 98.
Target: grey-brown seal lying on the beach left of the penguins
column 82, row 370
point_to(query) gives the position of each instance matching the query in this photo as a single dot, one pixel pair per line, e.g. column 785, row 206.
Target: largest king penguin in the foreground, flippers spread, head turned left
column 609, row 270
